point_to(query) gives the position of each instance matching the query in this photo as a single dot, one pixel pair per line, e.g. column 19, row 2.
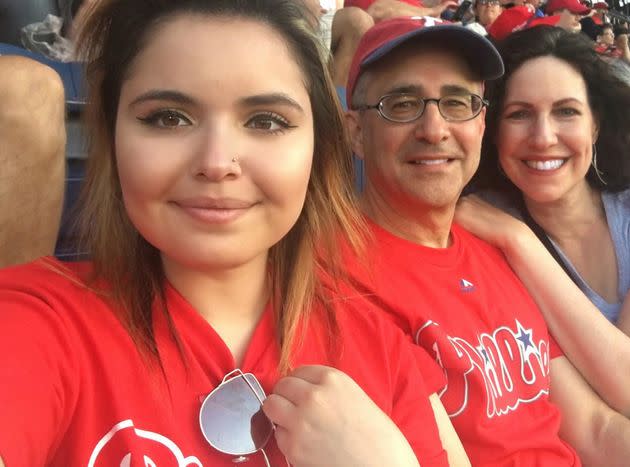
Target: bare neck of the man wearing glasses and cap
column 423, row 225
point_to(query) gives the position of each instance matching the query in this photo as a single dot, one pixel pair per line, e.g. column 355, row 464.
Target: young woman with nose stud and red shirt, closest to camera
column 217, row 168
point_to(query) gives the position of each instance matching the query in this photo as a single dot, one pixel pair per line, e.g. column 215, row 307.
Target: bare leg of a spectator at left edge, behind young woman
column 32, row 159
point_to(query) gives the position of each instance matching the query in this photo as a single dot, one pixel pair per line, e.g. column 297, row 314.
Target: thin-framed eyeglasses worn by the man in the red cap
column 405, row 108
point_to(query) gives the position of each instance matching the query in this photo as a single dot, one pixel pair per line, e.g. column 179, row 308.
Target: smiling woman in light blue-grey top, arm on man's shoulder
column 556, row 156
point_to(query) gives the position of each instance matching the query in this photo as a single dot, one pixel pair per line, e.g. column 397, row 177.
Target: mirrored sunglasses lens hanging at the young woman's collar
column 231, row 417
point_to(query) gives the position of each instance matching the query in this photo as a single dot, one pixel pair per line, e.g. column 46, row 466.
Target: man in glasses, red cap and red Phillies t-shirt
column 417, row 122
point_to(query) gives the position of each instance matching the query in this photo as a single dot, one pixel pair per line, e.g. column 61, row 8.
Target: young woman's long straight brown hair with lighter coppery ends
column 114, row 34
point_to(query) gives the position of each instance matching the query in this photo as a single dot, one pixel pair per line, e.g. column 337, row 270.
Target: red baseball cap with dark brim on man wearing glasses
column 387, row 35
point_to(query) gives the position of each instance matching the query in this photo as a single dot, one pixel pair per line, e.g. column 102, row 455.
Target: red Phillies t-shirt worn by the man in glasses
column 465, row 307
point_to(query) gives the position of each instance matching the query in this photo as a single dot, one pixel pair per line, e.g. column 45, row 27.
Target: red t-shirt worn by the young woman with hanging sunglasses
column 75, row 391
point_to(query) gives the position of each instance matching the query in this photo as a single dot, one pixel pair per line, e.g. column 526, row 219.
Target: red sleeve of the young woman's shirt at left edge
column 36, row 370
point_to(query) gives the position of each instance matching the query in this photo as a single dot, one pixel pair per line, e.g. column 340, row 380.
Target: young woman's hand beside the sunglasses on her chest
column 323, row 417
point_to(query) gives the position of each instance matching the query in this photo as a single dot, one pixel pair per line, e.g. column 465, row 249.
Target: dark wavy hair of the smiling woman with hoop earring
column 608, row 98
